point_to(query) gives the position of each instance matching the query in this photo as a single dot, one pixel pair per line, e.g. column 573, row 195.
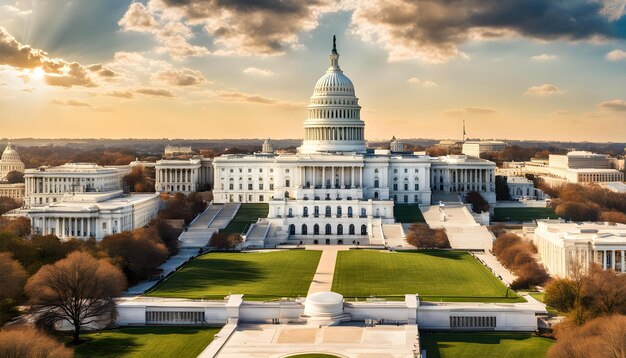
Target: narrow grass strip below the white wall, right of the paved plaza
column 484, row 345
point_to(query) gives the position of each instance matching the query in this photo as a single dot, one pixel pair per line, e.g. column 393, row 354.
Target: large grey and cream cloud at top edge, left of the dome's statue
column 241, row 27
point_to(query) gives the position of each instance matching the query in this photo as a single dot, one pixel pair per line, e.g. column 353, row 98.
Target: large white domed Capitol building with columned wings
column 334, row 185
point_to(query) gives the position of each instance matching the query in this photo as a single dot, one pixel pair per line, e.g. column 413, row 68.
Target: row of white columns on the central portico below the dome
column 335, row 177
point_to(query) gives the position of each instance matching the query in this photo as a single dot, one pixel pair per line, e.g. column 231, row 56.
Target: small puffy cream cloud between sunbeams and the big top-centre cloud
column 172, row 36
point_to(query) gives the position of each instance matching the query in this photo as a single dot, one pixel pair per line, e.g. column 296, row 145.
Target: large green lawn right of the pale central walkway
column 436, row 275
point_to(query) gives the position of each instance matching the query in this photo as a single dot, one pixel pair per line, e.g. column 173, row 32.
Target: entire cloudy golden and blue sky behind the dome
column 515, row 69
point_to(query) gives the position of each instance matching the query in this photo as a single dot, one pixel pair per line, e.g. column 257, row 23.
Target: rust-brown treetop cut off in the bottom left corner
column 31, row 343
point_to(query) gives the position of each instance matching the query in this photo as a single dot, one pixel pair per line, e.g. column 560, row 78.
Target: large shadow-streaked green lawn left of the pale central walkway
column 257, row 275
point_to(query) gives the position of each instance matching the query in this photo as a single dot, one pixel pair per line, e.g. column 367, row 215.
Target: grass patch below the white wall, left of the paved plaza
column 139, row 342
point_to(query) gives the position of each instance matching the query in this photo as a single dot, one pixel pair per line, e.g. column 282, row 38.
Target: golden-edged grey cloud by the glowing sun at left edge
column 57, row 71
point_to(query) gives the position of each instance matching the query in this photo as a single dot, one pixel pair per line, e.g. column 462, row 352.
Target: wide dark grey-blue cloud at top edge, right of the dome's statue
column 432, row 30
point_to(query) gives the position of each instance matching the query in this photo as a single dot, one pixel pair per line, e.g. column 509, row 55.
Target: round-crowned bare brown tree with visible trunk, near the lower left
column 78, row 289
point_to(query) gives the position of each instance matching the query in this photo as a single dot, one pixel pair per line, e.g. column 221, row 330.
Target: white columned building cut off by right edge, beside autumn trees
column 561, row 244
